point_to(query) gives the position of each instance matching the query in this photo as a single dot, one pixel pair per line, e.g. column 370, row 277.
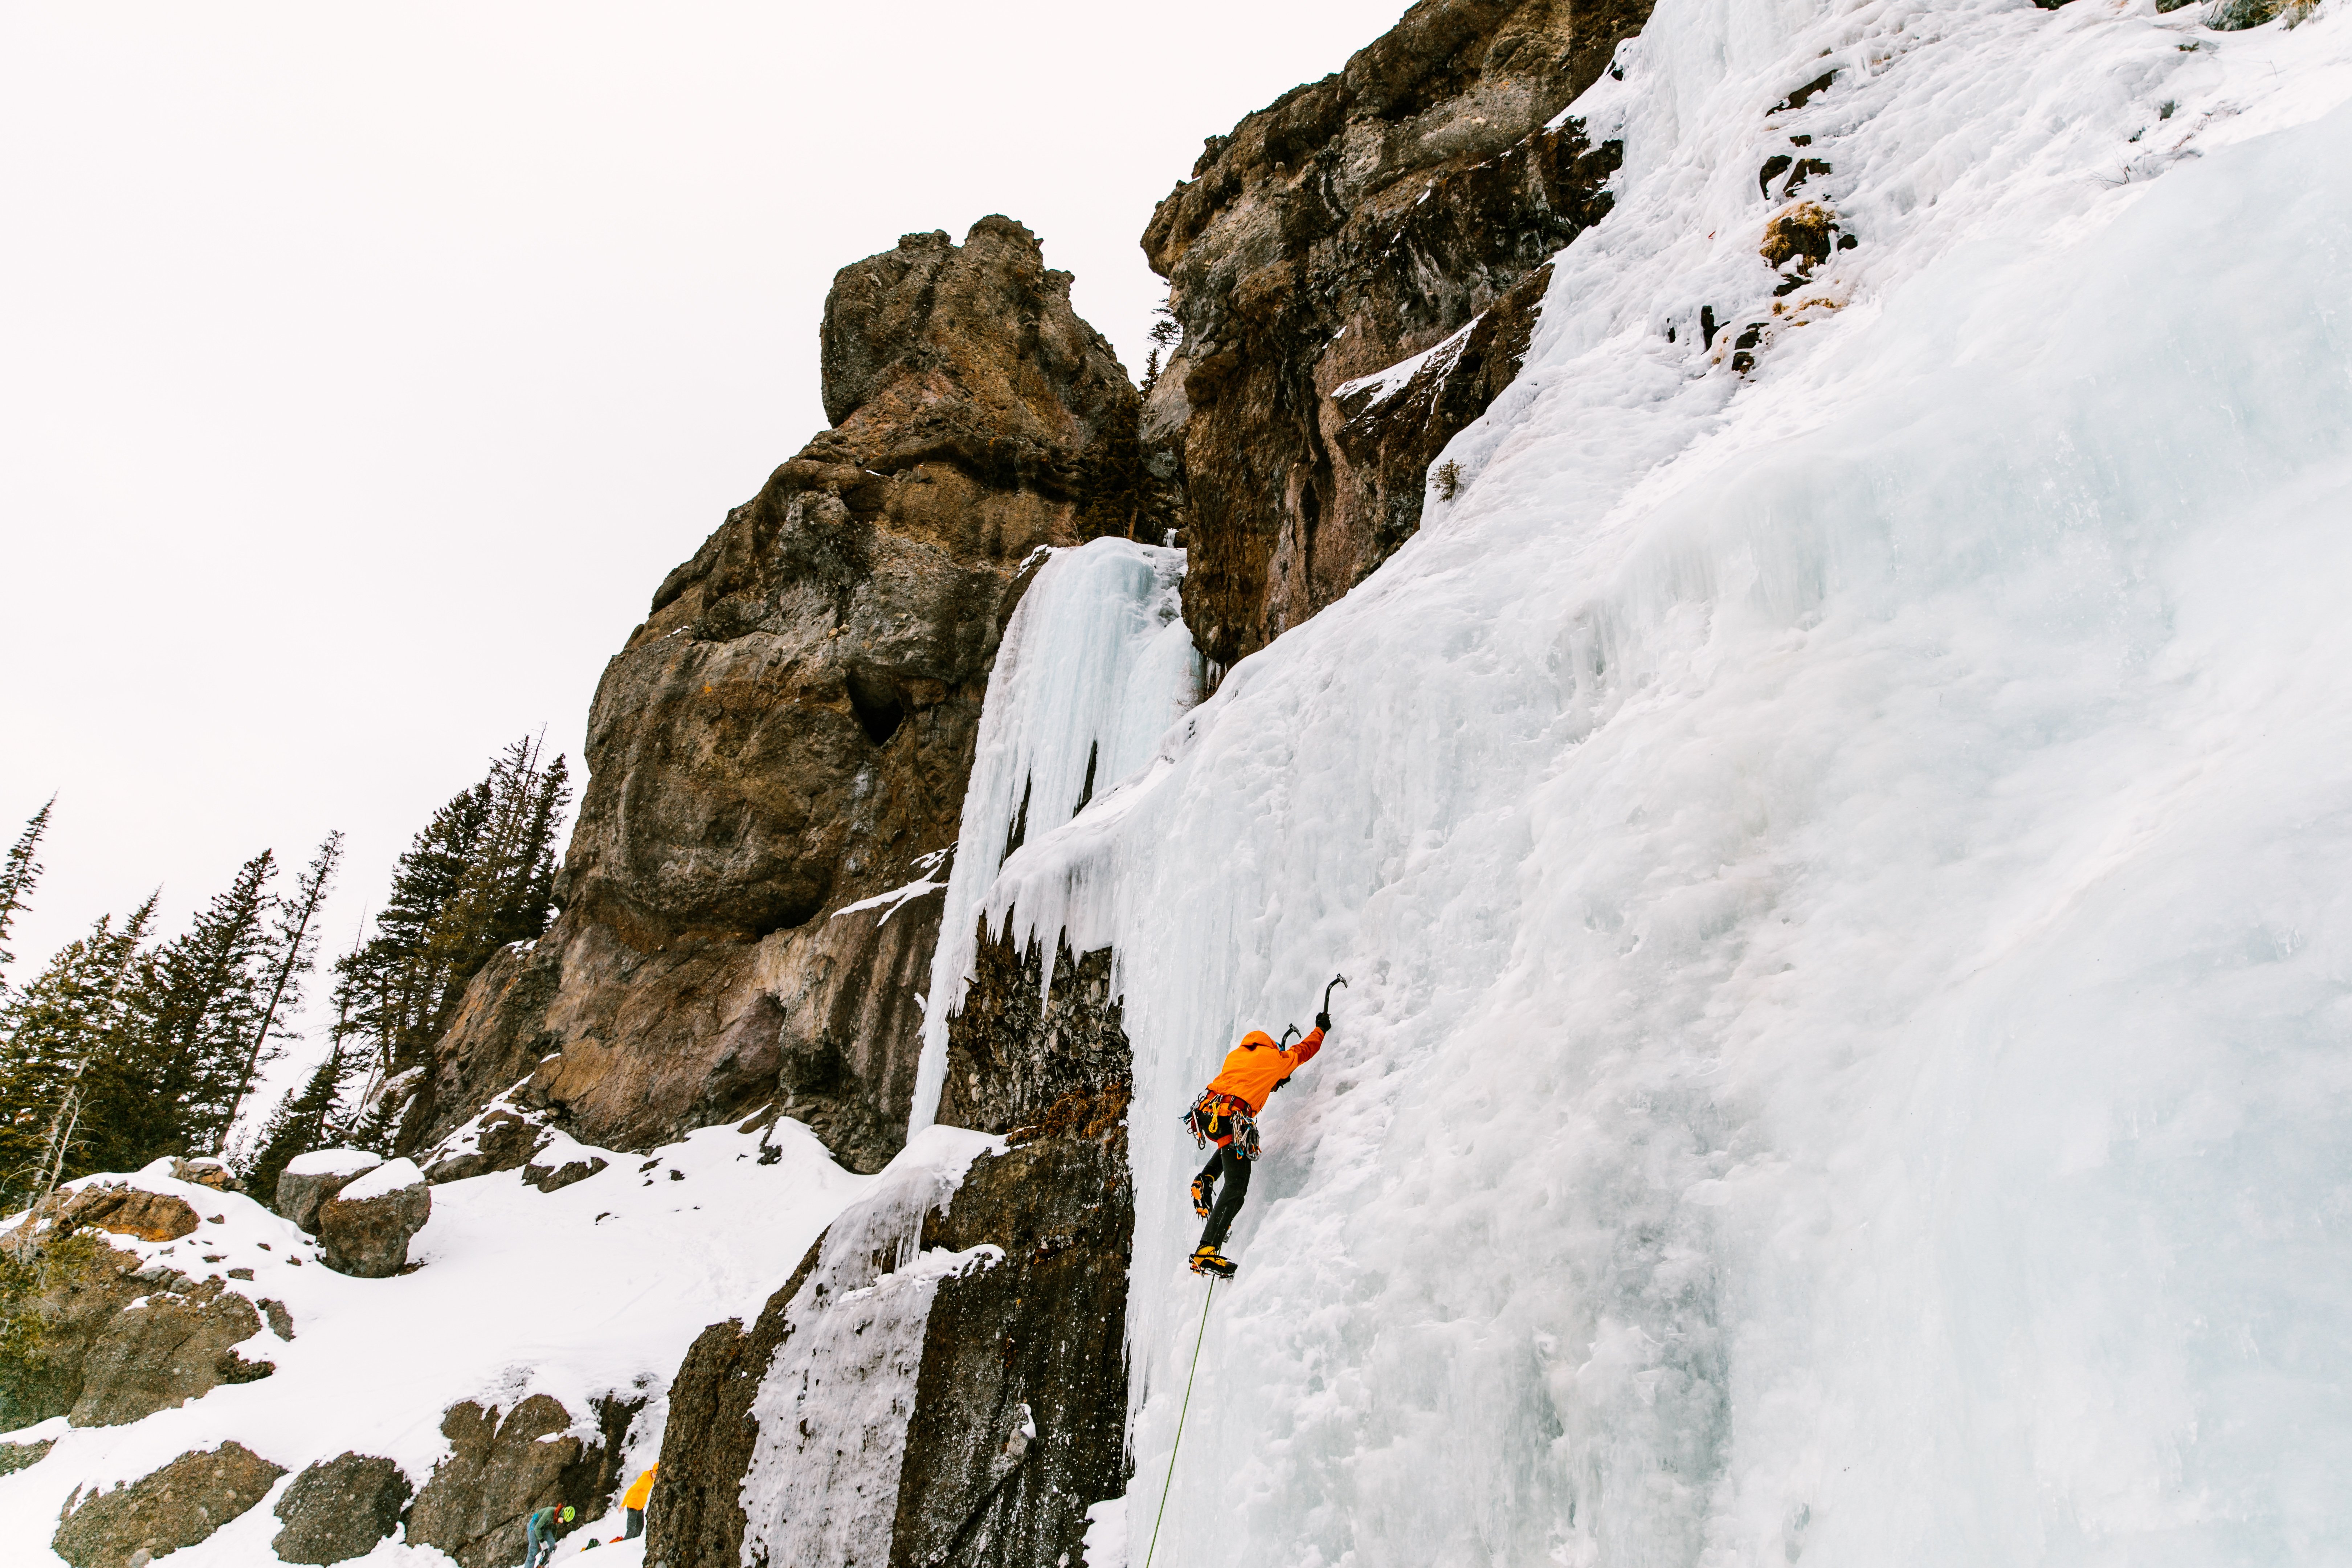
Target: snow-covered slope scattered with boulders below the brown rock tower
column 592, row 1289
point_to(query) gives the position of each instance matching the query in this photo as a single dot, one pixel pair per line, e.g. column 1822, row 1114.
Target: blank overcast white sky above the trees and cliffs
column 363, row 370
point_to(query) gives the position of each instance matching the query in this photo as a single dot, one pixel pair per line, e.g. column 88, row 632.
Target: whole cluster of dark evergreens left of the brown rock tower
column 135, row 1045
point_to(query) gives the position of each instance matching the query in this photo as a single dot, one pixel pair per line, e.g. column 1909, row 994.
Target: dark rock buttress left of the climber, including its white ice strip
column 958, row 1327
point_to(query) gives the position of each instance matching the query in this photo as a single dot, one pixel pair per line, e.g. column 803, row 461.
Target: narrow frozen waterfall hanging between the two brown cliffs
column 1093, row 671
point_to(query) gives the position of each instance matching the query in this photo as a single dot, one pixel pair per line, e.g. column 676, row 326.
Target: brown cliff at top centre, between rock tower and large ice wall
column 1354, row 225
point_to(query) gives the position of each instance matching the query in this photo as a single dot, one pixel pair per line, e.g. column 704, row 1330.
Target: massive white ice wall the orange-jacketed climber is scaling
column 1843, row 866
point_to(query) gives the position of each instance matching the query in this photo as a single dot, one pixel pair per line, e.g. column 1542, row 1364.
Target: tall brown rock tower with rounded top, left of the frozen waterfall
column 791, row 730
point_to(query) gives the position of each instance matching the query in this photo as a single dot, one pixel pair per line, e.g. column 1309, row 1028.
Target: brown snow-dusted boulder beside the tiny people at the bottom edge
column 502, row 1470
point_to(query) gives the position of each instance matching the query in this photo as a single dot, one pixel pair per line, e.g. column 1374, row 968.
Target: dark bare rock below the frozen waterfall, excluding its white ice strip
column 1034, row 1336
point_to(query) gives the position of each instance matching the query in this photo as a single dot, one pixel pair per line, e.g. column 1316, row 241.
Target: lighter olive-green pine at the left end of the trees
column 69, row 1045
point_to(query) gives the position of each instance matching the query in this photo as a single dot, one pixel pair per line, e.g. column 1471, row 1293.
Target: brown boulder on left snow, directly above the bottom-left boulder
column 166, row 1351
